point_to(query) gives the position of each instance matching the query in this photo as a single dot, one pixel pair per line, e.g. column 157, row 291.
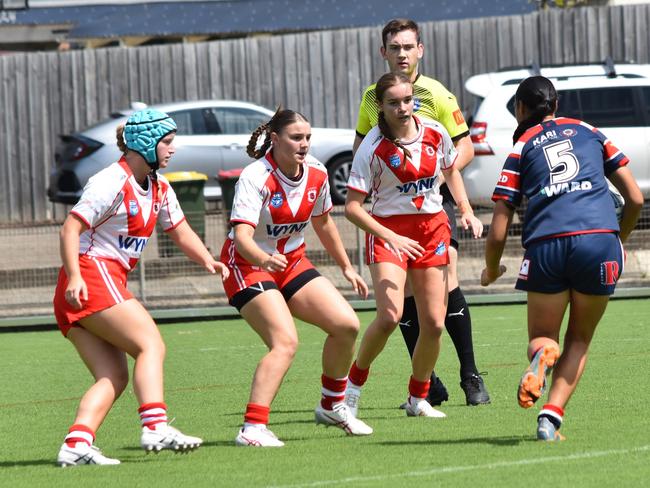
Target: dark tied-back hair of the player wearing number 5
column 538, row 95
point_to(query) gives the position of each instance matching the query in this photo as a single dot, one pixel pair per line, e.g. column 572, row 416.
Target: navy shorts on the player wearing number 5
column 588, row 263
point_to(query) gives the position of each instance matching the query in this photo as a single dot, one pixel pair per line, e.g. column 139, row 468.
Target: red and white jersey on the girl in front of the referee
column 398, row 187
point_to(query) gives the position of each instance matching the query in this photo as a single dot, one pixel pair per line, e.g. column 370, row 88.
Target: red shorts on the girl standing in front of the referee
column 431, row 231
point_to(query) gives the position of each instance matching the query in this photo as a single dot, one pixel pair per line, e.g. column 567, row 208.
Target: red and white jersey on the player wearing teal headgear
column 121, row 215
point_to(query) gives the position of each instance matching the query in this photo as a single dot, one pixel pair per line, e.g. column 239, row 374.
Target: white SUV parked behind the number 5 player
column 613, row 98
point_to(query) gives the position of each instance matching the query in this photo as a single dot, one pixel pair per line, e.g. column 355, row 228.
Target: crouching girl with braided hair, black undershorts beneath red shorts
column 272, row 280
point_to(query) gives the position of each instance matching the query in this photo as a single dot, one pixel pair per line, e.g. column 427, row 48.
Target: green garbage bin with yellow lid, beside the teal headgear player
column 188, row 186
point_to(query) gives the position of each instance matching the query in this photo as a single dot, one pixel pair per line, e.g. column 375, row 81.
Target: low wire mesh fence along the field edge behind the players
column 164, row 278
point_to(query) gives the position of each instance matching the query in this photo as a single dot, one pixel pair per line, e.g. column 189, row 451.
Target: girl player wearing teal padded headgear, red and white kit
column 101, row 241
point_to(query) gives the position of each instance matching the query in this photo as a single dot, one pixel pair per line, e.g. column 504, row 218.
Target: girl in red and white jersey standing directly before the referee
column 399, row 163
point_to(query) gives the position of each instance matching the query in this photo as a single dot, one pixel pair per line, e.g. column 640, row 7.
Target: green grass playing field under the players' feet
column 208, row 372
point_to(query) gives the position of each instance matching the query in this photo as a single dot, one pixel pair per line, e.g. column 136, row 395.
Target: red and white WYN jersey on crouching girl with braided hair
column 280, row 208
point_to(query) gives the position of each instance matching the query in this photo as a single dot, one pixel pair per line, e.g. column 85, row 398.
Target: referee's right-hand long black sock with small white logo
column 458, row 323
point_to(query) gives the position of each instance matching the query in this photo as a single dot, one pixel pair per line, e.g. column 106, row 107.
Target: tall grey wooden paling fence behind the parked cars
column 322, row 74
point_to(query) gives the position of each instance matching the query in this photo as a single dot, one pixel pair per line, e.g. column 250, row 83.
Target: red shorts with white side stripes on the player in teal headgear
column 106, row 283
